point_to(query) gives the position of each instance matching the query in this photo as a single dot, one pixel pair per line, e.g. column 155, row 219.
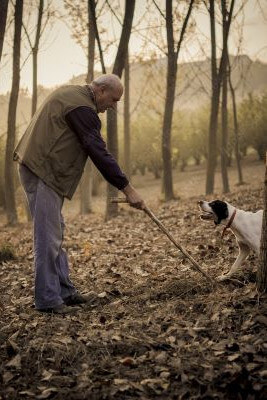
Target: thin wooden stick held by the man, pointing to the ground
column 195, row 264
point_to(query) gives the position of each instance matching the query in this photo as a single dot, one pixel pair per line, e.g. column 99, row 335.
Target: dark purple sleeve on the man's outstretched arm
column 85, row 122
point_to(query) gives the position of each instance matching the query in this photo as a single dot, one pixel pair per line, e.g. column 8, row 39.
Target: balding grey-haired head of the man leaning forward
column 108, row 90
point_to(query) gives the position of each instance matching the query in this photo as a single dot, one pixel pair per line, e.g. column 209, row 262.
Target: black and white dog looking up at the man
column 246, row 227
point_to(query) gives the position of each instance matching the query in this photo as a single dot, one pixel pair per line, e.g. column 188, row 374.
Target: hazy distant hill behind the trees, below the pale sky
column 148, row 87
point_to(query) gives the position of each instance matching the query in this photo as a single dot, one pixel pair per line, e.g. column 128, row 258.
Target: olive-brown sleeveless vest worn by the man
column 49, row 148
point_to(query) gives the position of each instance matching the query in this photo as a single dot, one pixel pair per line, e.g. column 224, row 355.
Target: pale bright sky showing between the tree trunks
column 61, row 58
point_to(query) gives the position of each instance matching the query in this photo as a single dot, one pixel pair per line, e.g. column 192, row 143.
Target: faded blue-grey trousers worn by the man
column 52, row 283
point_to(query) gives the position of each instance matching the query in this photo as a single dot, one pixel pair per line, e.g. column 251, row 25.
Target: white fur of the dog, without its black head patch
column 246, row 227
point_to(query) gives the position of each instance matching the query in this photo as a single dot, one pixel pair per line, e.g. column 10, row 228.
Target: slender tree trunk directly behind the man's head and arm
column 86, row 185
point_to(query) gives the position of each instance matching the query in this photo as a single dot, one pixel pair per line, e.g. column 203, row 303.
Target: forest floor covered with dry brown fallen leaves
column 154, row 328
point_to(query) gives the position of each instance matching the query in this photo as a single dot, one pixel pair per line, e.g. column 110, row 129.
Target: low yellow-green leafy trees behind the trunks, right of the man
column 190, row 135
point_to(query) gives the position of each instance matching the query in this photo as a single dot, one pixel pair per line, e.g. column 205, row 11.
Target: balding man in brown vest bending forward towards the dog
column 52, row 154
